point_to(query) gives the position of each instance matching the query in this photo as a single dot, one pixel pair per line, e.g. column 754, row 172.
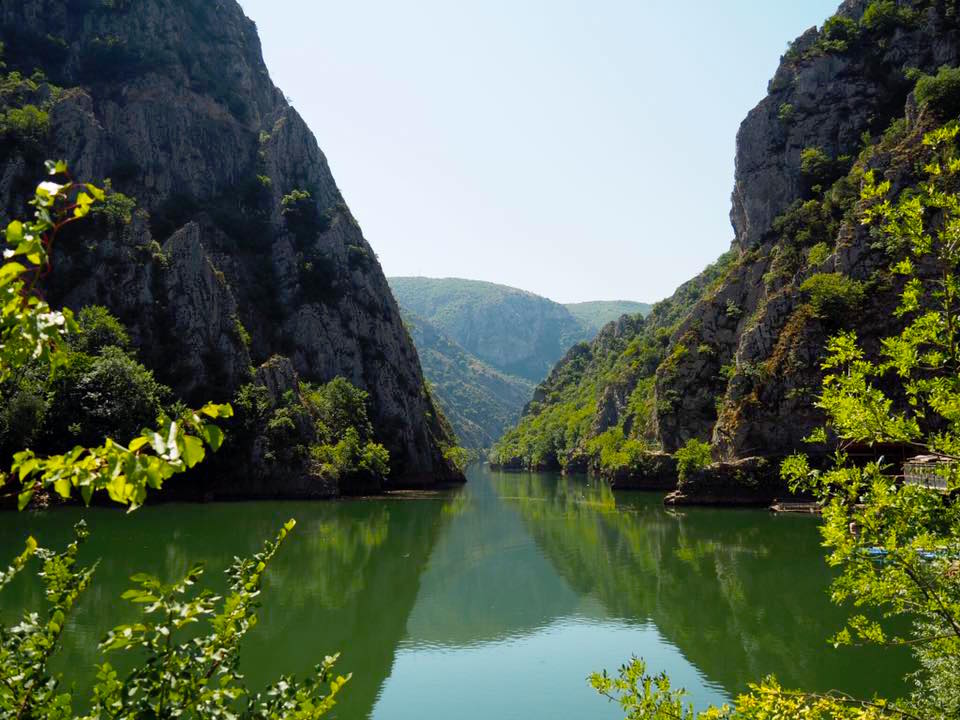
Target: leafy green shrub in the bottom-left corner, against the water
column 178, row 672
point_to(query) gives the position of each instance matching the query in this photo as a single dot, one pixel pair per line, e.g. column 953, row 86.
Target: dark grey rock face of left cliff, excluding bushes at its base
column 241, row 246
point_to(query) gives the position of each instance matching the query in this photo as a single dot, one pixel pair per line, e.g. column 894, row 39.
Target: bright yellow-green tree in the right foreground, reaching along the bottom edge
column 896, row 543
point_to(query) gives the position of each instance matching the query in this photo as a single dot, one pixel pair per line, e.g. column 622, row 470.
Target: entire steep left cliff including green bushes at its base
column 224, row 262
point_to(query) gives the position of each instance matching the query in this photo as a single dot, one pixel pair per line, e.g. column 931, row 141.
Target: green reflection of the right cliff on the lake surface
column 741, row 593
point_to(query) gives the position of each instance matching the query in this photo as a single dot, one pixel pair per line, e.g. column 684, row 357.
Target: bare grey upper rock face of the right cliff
column 828, row 100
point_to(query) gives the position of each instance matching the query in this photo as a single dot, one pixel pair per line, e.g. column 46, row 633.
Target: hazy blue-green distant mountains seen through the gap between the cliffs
column 485, row 346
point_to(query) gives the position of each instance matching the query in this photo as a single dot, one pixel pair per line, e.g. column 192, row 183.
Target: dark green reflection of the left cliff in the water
column 346, row 580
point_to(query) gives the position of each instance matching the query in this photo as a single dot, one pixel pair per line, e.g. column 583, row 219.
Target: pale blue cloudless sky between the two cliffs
column 582, row 150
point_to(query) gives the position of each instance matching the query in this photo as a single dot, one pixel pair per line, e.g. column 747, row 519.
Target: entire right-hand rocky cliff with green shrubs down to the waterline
column 733, row 358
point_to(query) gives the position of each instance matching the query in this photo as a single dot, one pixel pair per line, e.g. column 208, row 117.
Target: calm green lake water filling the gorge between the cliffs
column 491, row 601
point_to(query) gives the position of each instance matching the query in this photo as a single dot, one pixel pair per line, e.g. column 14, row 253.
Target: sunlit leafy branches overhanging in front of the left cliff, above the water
column 33, row 334
